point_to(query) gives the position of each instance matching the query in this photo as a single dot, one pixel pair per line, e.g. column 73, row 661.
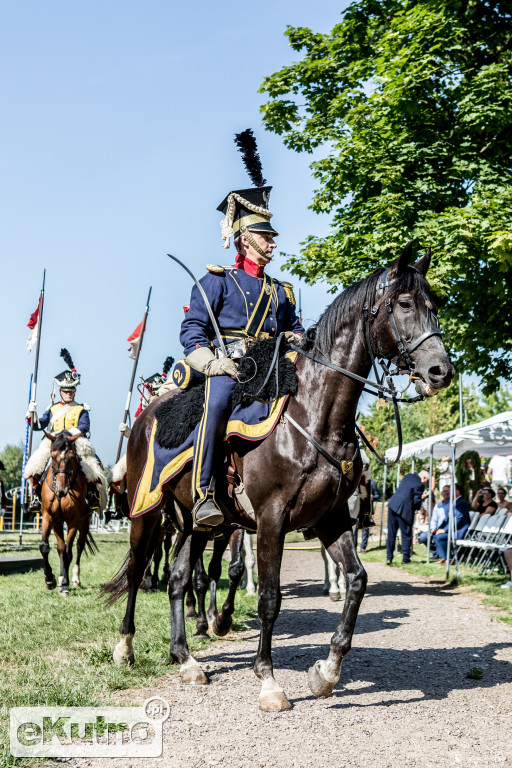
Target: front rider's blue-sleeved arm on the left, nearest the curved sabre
column 196, row 328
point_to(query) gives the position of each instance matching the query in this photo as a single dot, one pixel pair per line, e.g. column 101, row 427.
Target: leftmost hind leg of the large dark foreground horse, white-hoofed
column 142, row 539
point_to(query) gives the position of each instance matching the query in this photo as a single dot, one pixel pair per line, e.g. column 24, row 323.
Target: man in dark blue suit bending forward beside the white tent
column 401, row 508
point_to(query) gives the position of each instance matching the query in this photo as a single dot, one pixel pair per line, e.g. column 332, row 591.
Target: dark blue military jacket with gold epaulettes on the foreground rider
column 233, row 294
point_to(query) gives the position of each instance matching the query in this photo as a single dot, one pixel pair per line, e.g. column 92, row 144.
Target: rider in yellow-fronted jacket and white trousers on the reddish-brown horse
column 66, row 415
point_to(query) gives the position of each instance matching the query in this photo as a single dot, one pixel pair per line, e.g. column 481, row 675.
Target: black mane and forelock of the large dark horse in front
column 348, row 306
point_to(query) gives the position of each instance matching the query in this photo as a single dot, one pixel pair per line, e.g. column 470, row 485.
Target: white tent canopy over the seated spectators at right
column 489, row 437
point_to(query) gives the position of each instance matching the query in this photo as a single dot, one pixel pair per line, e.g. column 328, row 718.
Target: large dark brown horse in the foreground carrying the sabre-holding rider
column 293, row 483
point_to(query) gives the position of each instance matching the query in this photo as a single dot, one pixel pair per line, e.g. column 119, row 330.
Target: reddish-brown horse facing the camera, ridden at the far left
column 63, row 500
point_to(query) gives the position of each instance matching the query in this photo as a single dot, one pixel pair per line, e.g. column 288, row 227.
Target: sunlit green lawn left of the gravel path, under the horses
column 58, row 651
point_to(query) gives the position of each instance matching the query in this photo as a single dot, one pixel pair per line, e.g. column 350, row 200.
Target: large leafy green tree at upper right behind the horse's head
column 410, row 102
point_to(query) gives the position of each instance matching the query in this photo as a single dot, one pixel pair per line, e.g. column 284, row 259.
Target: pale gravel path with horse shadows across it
column 403, row 698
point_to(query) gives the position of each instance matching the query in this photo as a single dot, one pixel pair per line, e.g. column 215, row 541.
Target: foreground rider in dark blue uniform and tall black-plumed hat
column 247, row 305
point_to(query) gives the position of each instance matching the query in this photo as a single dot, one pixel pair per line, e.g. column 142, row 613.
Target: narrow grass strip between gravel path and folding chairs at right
column 489, row 587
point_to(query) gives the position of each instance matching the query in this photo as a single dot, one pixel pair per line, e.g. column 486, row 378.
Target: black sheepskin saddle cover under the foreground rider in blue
column 178, row 416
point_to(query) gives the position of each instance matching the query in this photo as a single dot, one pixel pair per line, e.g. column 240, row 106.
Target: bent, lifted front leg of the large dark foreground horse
column 324, row 675
